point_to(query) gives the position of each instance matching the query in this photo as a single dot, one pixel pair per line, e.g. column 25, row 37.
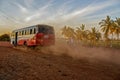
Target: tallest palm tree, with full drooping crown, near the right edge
column 106, row 25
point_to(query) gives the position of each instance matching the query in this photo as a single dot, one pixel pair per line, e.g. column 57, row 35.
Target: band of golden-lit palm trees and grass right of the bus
column 93, row 37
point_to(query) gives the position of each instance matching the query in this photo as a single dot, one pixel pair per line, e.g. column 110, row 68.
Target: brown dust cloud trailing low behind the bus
column 77, row 51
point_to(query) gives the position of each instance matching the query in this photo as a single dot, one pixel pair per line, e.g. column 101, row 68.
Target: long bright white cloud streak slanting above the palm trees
column 88, row 10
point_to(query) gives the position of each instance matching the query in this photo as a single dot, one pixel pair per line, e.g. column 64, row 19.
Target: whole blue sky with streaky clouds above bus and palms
column 15, row 14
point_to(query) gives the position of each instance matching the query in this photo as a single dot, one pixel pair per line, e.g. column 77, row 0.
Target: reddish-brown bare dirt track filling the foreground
column 33, row 65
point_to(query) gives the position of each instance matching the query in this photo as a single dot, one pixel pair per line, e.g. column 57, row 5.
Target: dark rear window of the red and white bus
column 46, row 30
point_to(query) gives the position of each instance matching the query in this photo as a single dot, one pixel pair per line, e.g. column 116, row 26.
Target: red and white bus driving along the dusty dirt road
column 37, row 35
